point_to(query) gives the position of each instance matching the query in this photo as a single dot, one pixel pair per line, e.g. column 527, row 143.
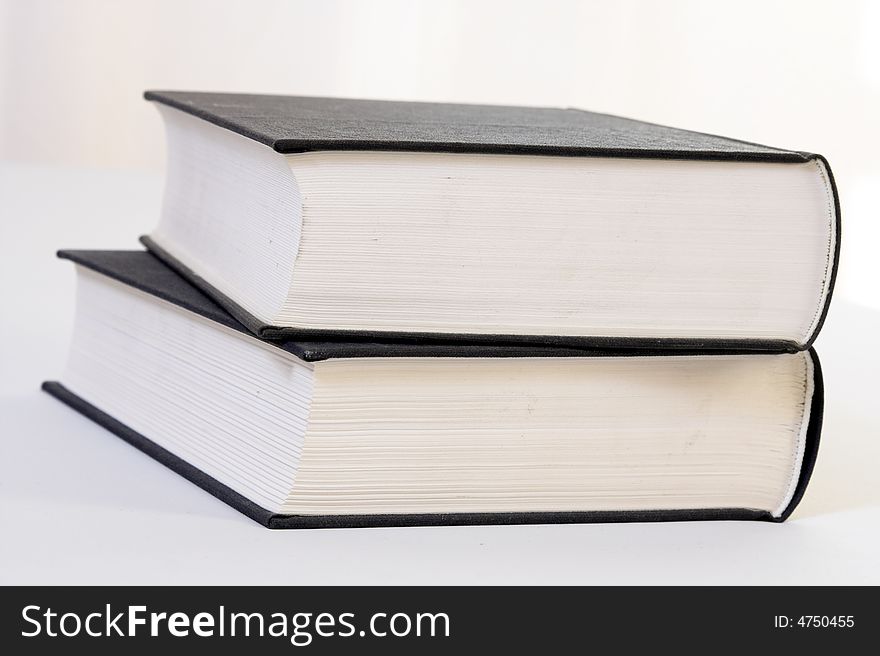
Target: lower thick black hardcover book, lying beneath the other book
column 307, row 435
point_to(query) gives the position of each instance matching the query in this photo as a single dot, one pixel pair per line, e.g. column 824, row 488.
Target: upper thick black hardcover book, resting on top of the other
column 317, row 217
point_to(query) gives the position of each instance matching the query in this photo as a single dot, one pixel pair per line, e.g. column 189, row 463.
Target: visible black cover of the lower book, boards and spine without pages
column 143, row 271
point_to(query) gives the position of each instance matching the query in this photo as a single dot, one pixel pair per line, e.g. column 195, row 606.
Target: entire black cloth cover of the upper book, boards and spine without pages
column 292, row 124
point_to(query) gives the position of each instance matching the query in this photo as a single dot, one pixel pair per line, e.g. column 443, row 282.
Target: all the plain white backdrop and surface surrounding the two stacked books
column 82, row 159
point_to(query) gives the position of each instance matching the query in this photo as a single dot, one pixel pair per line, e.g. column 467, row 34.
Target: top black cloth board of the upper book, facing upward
column 294, row 124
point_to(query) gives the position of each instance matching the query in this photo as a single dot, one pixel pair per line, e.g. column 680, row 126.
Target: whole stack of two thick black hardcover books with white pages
column 363, row 313
